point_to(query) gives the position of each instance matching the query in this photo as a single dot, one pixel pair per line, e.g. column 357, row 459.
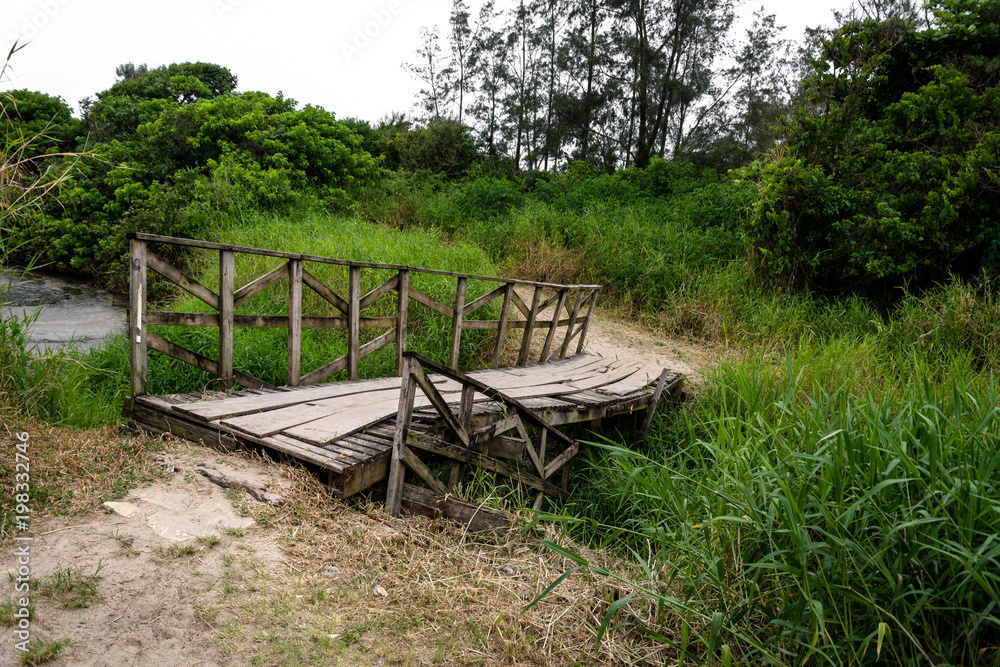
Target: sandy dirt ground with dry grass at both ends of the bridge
column 187, row 573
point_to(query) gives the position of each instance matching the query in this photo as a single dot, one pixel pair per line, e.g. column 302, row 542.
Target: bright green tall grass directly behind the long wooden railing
column 262, row 352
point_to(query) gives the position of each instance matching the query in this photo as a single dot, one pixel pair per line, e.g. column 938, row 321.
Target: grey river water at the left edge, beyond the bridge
column 70, row 313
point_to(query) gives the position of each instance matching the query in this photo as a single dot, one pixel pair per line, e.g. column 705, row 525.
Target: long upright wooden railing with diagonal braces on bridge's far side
column 573, row 309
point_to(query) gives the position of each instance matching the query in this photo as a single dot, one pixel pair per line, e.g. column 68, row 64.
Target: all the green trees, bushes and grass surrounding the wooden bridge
column 830, row 494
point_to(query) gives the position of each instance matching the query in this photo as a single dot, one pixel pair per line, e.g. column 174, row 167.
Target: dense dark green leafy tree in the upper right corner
column 888, row 174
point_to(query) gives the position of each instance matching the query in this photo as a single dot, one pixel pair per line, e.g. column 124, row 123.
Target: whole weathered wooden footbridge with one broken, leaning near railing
column 366, row 432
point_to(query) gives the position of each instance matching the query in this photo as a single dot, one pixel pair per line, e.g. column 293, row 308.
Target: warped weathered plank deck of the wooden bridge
column 347, row 428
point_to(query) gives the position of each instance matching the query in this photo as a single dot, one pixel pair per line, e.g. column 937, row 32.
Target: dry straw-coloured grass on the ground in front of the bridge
column 450, row 597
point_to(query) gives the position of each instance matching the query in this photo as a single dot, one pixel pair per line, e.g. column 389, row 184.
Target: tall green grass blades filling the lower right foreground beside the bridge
column 801, row 523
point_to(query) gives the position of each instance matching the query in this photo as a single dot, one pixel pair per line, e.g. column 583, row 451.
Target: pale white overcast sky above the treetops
column 344, row 56
